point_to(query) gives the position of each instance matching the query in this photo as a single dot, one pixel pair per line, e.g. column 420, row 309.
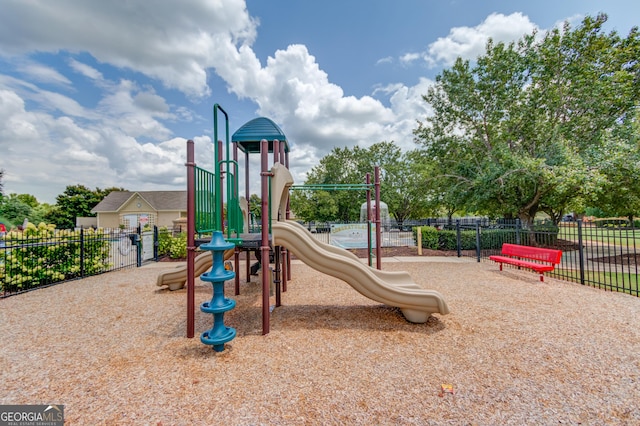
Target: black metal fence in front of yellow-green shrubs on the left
column 42, row 256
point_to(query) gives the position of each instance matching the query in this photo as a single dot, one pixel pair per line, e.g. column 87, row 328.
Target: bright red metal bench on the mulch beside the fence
column 539, row 259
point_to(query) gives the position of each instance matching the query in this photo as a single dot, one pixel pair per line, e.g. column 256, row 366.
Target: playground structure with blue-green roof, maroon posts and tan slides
column 278, row 237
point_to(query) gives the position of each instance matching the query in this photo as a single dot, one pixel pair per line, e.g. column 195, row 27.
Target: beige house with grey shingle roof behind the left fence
column 129, row 209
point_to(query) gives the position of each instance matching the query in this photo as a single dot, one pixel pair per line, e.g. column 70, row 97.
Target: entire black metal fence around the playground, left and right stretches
column 603, row 255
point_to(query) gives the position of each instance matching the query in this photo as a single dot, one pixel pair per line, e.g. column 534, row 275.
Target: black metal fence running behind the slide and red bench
column 603, row 254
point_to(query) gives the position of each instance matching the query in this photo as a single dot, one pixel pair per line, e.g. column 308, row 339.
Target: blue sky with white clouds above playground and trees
column 106, row 93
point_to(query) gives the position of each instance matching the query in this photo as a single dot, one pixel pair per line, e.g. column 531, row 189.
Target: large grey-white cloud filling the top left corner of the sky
column 176, row 44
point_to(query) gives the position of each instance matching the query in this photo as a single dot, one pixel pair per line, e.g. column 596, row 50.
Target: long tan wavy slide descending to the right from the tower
column 393, row 289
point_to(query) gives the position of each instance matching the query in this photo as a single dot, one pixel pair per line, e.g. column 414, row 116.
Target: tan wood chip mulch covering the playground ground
column 513, row 351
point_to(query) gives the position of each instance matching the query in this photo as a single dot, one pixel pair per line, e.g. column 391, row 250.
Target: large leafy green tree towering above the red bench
column 526, row 128
